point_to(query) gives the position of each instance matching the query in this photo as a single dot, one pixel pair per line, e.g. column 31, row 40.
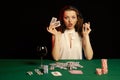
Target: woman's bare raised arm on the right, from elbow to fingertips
column 88, row 51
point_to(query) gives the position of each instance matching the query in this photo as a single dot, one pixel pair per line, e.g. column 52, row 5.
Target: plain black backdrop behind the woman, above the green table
column 24, row 26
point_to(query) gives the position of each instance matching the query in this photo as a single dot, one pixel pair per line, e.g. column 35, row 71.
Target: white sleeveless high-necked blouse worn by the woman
column 73, row 52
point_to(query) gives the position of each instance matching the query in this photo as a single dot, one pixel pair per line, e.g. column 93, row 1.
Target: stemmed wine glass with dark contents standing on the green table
column 42, row 51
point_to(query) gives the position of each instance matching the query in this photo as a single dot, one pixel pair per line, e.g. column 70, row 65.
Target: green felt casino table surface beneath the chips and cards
column 16, row 69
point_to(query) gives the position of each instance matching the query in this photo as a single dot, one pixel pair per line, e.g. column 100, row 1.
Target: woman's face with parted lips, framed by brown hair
column 70, row 19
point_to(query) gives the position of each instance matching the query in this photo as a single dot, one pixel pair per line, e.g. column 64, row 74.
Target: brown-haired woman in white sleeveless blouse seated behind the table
column 71, row 36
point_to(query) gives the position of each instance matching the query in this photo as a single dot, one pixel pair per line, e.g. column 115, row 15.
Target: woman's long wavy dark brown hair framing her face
column 79, row 24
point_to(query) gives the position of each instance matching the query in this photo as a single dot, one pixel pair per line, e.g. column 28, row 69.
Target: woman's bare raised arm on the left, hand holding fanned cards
column 55, row 38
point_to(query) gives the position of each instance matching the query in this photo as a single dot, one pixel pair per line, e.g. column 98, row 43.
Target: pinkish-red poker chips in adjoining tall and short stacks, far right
column 104, row 69
